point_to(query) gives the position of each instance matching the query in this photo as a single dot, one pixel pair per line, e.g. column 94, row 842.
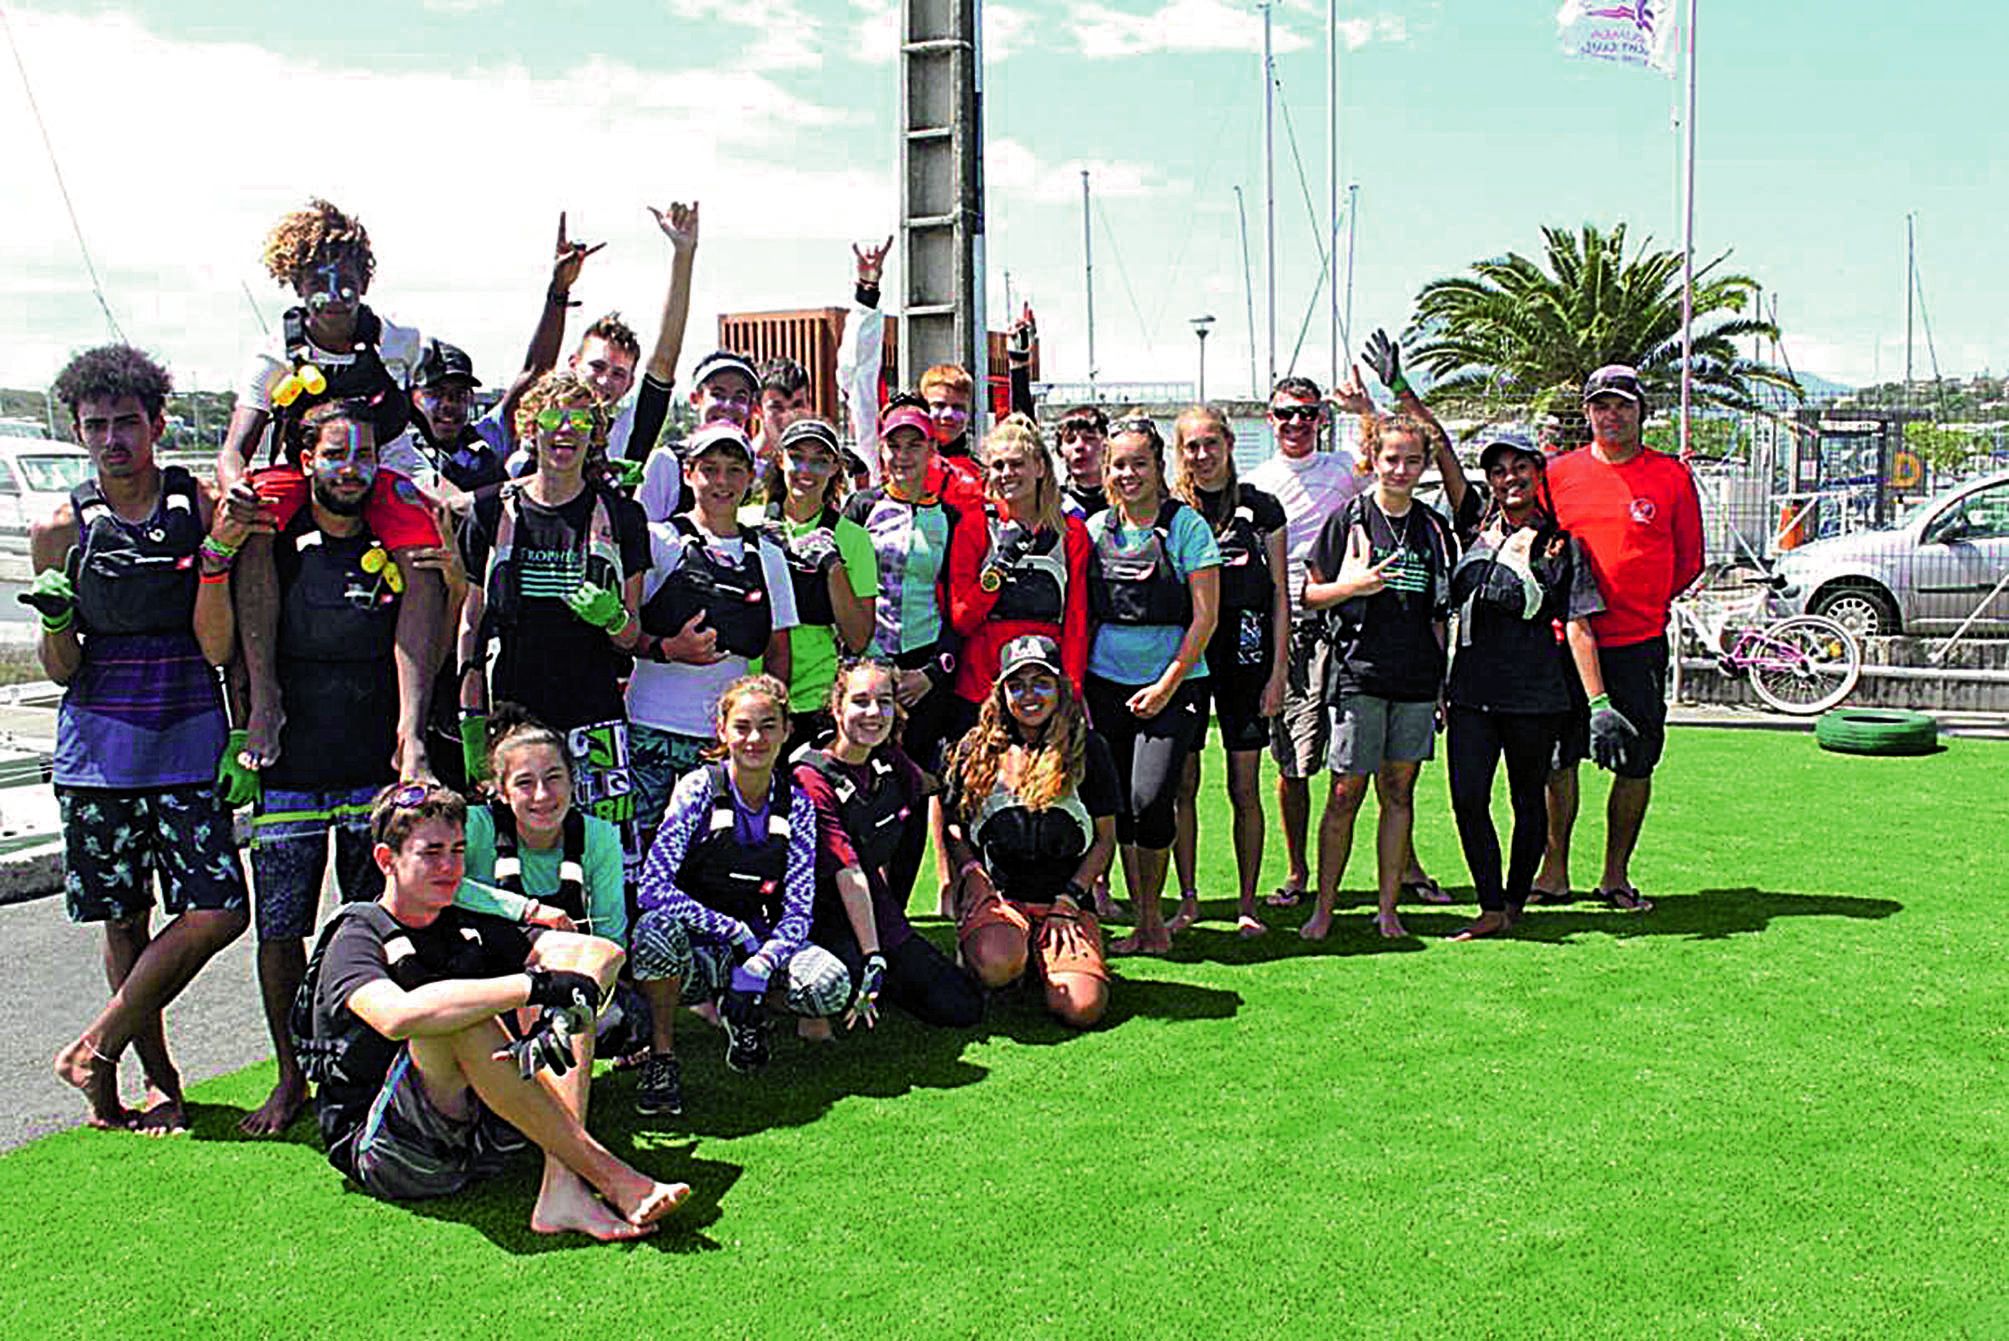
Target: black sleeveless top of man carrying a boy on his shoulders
column 339, row 681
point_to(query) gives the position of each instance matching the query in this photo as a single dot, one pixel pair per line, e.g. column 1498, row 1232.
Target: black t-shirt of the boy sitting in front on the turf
column 369, row 946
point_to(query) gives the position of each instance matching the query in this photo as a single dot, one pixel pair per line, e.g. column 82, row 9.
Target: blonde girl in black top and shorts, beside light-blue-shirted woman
column 1249, row 654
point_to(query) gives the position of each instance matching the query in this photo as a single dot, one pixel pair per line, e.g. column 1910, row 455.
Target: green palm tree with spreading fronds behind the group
column 1516, row 335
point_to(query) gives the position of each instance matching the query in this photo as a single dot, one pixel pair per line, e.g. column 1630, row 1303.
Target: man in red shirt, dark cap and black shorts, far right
column 1638, row 518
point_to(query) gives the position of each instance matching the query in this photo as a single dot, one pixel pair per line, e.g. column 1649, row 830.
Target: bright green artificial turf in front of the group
column 1775, row 1107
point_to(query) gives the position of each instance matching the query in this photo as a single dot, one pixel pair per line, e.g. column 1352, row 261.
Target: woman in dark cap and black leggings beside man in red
column 1510, row 675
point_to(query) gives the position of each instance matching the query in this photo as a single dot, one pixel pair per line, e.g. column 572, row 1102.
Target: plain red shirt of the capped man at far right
column 1642, row 530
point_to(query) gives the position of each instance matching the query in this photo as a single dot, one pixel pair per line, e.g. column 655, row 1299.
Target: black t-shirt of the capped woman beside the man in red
column 1504, row 660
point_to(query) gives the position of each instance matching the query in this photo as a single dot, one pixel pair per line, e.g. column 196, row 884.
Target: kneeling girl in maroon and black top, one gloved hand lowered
column 867, row 793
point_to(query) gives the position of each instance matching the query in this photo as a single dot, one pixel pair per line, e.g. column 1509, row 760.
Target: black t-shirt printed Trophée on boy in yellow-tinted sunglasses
column 553, row 662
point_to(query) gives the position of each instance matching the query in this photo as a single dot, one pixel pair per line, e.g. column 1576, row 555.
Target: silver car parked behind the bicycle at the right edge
column 1926, row 574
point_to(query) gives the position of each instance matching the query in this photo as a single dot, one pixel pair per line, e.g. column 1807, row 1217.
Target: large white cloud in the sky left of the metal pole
column 463, row 226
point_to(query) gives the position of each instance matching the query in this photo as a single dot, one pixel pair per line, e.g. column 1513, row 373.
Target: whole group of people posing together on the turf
column 602, row 725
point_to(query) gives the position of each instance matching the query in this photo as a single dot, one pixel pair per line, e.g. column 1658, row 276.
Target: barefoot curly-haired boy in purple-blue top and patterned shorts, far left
column 142, row 725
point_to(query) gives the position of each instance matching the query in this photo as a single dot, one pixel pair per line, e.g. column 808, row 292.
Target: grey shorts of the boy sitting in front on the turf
column 411, row 1151
